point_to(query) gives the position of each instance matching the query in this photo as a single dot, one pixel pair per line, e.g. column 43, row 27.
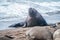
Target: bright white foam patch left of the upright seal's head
column 14, row 10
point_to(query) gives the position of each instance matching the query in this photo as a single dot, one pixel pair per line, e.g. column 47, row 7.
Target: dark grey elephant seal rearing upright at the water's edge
column 34, row 19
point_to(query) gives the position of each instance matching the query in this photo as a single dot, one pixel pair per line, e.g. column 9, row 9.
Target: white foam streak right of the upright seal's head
column 48, row 6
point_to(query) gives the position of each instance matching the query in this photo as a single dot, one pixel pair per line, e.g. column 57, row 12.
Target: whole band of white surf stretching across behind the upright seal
column 15, row 10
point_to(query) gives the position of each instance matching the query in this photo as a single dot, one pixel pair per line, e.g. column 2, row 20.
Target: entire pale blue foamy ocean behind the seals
column 15, row 11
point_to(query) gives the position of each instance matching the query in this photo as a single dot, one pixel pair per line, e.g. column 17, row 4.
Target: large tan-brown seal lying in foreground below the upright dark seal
column 39, row 33
